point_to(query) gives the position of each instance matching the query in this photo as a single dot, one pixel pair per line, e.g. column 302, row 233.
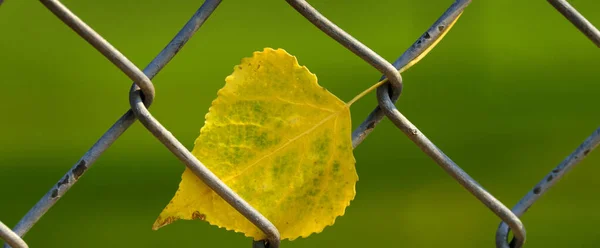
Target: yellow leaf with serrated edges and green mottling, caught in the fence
column 279, row 140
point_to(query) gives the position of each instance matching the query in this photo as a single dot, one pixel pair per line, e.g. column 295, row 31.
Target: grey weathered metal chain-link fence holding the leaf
column 142, row 95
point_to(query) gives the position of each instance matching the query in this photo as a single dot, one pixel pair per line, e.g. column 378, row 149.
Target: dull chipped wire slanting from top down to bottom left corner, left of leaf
column 120, row 126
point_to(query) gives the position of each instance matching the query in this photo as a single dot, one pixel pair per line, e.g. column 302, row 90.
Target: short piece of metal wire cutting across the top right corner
column 577, row 19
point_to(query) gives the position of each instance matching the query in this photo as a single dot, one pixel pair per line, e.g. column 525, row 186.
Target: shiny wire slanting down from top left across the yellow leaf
column 141, row 95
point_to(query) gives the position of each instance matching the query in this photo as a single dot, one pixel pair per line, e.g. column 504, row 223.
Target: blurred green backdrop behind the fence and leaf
column 510, row 92
